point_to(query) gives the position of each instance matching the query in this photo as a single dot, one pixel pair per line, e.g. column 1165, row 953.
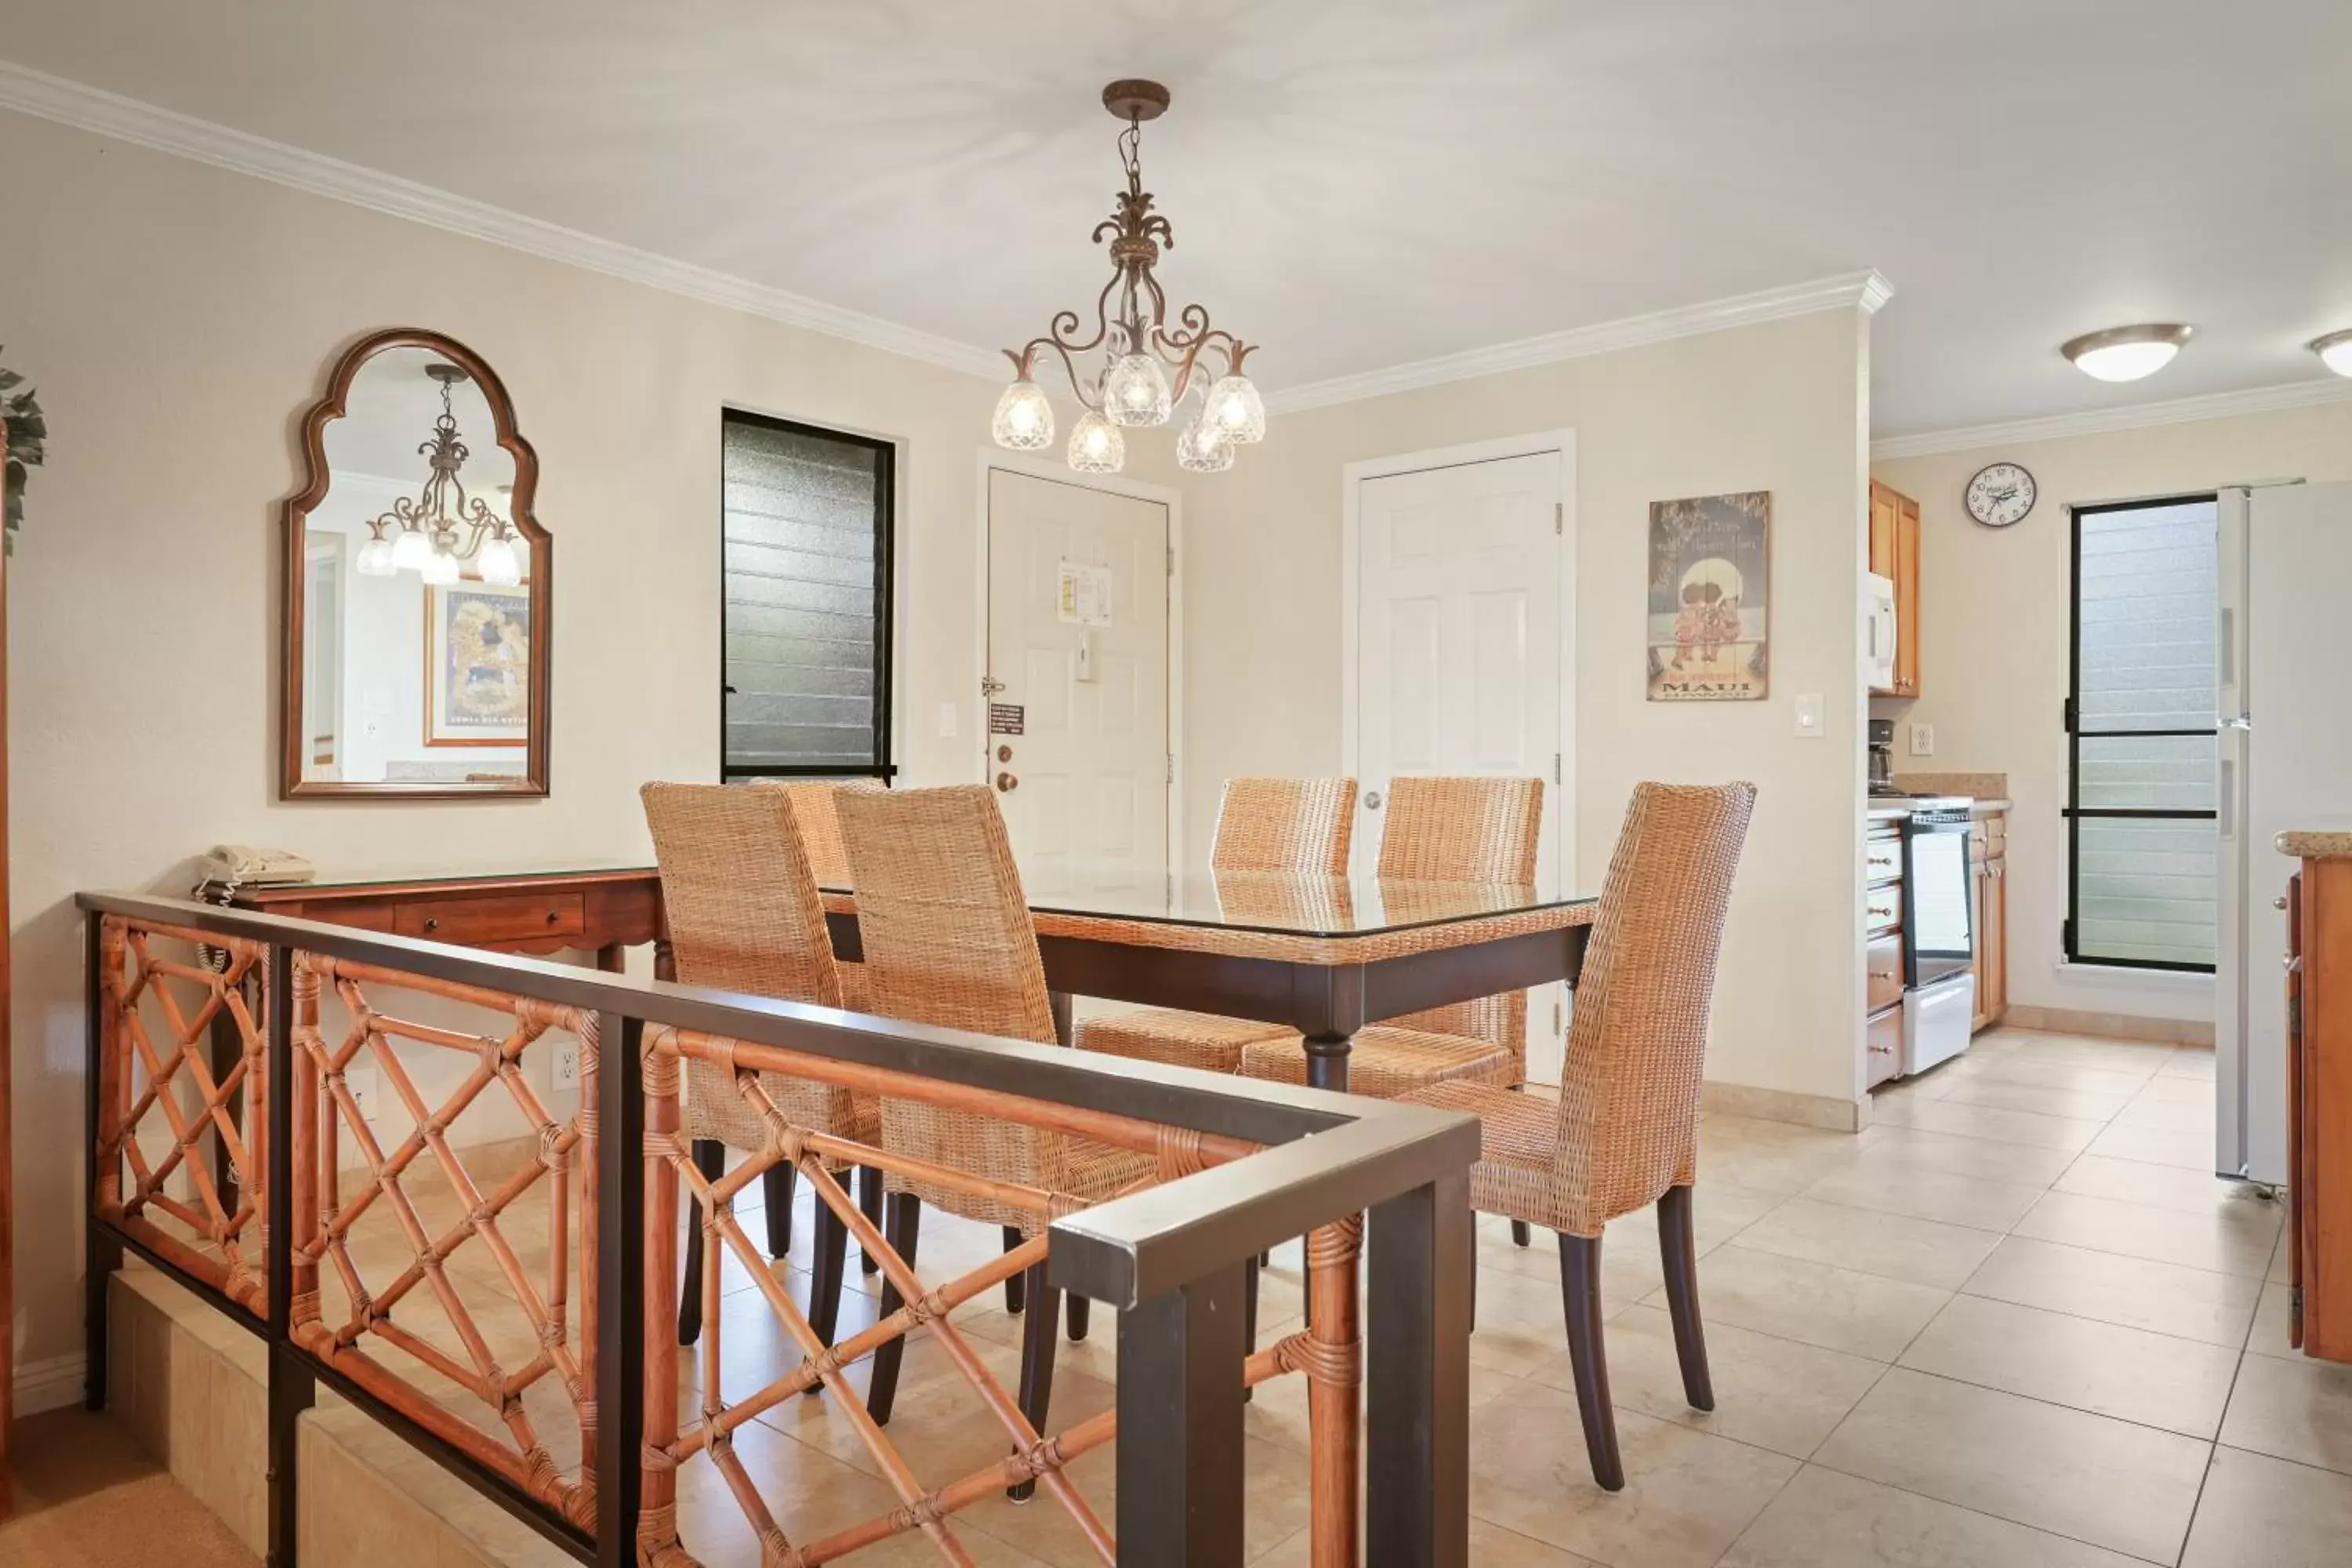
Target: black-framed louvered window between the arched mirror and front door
column 806, row 615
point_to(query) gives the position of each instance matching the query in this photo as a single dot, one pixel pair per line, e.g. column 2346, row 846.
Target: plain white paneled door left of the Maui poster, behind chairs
column 1462, row 652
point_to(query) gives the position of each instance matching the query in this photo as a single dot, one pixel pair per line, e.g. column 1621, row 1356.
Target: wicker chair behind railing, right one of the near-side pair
column 949, row 942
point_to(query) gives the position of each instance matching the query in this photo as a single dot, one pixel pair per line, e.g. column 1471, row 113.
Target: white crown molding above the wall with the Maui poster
column 1845, row 293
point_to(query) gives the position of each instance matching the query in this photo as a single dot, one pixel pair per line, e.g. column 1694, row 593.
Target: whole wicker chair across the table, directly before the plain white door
column 1443, row 831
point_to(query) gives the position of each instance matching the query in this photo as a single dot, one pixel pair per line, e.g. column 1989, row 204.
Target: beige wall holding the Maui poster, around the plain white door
column 1765, row 408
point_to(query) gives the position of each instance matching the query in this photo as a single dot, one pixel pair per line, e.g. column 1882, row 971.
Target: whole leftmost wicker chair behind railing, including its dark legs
column 744, row 916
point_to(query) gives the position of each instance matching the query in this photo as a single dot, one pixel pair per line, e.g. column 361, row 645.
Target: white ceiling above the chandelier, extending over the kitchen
column 1358, row 182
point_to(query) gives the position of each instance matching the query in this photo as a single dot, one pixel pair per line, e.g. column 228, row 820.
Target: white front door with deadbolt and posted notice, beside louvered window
column 1078, row 666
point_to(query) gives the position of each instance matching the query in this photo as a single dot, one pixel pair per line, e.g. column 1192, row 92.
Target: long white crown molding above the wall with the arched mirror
column 163, row 130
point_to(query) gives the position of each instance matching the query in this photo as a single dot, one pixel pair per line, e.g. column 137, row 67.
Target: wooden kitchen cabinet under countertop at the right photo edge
column 2320, row 1108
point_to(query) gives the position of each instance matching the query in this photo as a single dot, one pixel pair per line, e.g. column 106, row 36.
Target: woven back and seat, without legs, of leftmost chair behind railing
column 744, row 916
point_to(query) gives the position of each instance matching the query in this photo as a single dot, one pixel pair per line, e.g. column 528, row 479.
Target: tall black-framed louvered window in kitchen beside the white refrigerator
column 2144, row 793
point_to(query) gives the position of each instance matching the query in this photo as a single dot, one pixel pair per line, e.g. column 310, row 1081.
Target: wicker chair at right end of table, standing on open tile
column 1624, row 1132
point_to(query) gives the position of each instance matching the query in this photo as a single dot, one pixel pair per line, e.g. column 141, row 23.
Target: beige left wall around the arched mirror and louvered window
column 178, row 321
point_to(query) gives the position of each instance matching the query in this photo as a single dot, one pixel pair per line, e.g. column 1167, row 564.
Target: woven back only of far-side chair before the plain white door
column 1466, row 831
